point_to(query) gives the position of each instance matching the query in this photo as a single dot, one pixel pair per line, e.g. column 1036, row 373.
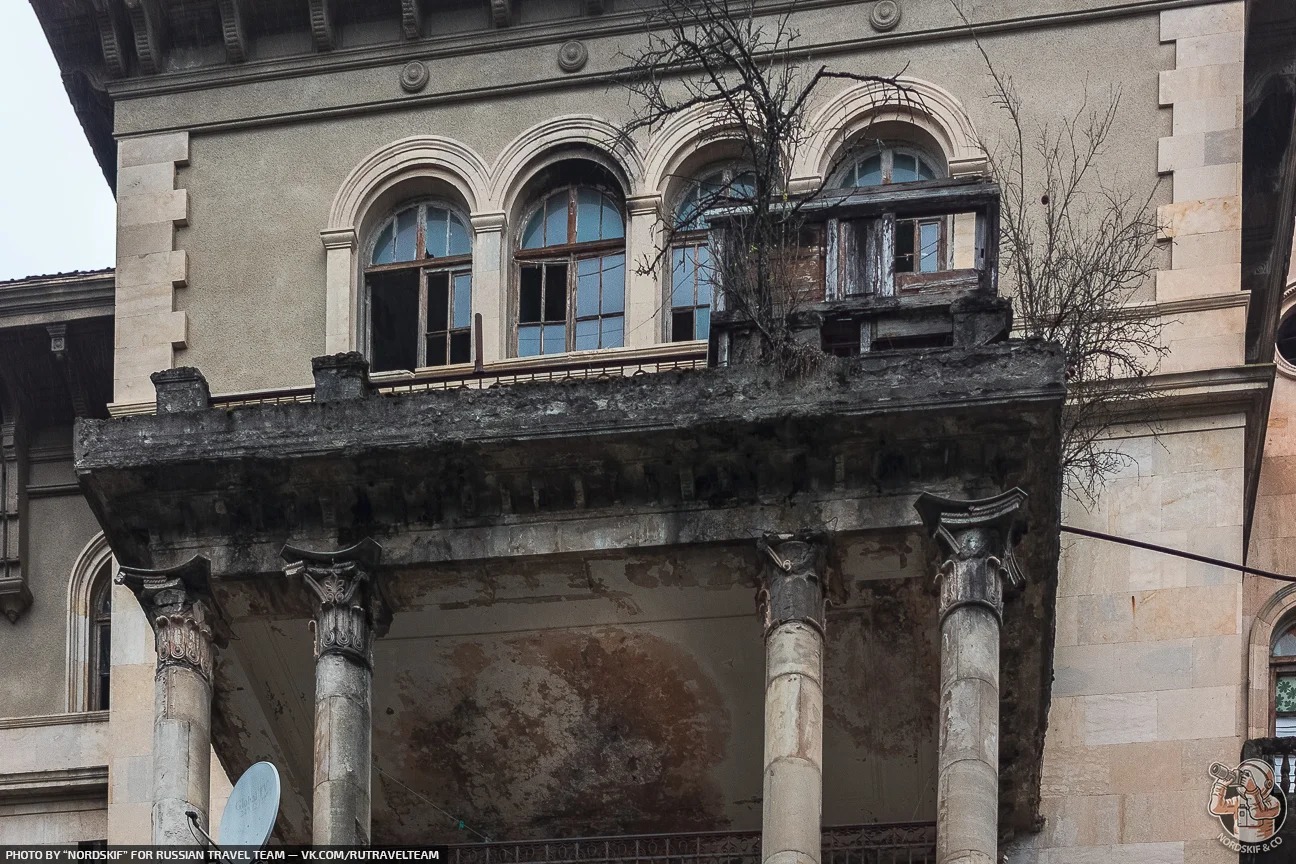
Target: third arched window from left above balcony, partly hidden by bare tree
column 691, row 278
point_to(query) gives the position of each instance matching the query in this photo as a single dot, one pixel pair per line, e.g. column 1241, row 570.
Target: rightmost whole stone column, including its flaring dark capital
column 978, row 538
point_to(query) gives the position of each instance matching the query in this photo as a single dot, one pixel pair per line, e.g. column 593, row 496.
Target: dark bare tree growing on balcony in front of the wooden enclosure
column 746, row 76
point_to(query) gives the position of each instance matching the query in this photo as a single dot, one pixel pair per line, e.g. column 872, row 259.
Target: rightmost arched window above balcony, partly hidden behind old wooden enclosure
column 921, row 244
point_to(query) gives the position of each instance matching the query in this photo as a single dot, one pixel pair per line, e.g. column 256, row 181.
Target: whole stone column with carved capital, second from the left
column 349, row 615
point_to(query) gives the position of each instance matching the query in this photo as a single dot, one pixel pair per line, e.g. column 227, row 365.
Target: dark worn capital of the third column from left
column 793, row 582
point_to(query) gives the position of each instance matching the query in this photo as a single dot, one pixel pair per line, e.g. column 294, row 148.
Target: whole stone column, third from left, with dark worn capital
column 793, row 609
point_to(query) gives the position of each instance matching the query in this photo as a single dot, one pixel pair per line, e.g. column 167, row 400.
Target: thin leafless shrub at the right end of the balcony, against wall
column 1076, row 249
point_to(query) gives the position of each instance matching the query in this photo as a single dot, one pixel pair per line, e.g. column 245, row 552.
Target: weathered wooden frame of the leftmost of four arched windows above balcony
column 426, row 267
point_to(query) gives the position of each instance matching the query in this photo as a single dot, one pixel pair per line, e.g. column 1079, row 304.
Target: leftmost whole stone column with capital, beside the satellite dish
column 178, row 606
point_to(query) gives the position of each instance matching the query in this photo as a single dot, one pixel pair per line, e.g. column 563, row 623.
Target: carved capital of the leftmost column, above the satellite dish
column 179, row 607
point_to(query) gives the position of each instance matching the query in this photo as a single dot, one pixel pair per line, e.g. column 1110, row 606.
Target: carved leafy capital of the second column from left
column 351, row 609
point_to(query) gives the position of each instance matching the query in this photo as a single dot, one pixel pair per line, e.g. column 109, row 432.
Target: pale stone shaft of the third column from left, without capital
column 794, row 745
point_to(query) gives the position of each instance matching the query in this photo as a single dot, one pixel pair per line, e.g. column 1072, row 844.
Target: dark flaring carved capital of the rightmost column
column 978, row 538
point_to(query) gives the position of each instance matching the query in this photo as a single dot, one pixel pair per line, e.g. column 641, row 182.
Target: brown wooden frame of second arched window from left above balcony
column 567, row 255
